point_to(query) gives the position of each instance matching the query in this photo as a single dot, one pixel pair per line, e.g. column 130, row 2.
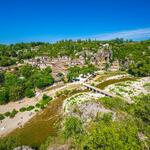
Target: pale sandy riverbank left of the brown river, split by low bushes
column 9, row 124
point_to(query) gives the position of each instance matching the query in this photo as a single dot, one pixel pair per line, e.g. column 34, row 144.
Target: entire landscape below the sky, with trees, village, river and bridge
column 83, row 95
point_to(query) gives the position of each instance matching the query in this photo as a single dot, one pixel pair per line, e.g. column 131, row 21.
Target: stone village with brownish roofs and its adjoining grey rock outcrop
column 60, row 65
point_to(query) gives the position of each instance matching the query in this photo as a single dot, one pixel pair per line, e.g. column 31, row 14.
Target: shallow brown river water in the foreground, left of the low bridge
column 45, row 123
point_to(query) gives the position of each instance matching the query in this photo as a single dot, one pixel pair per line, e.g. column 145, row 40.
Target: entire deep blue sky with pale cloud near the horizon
column 52, row 20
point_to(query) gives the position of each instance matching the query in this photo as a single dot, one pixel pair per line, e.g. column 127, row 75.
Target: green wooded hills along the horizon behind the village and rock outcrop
column 127, row 52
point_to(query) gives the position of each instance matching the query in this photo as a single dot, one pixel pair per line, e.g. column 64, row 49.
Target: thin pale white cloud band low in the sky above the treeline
column 138, row 34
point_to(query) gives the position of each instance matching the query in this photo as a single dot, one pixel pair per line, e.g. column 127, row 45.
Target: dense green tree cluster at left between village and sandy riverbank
column 22, row 82
